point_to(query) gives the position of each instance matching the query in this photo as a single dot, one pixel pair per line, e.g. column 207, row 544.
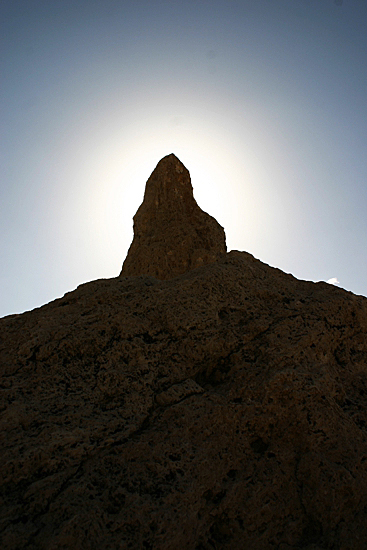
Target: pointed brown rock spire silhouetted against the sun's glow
column 171, row 233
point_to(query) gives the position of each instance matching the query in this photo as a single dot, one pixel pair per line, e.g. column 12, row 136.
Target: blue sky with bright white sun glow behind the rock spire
column 264, row 101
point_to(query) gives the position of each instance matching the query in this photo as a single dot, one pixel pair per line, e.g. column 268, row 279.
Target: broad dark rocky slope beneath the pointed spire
column 225, row 408
